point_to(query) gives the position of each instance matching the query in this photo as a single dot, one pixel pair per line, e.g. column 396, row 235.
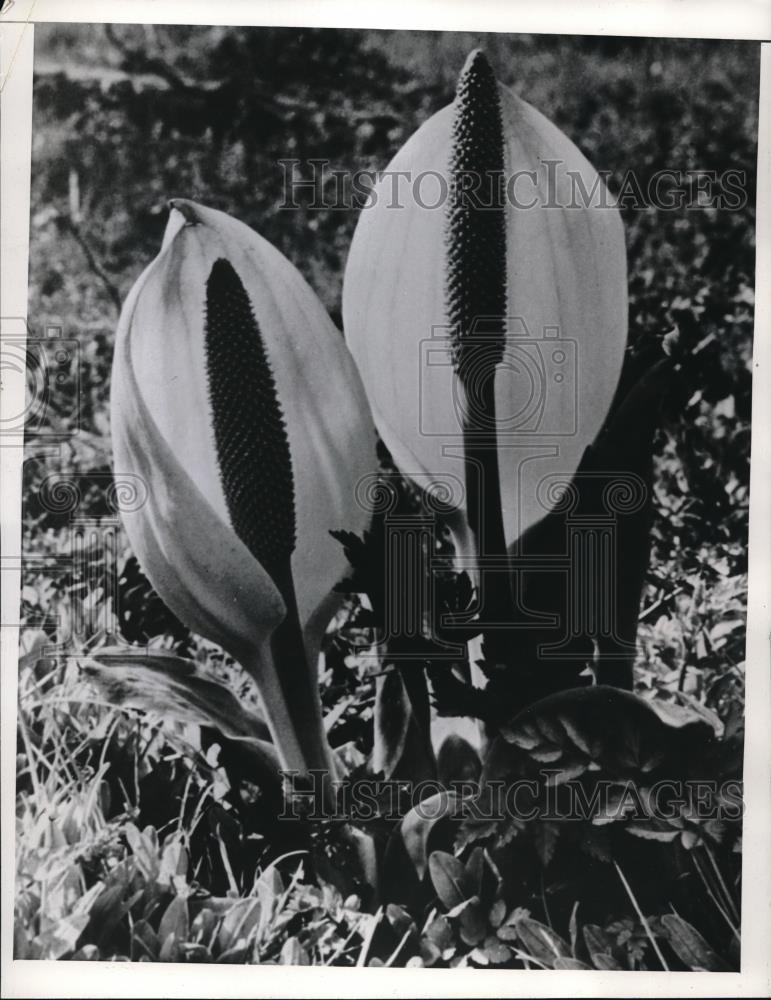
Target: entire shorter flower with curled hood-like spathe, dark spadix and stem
column 236, row 400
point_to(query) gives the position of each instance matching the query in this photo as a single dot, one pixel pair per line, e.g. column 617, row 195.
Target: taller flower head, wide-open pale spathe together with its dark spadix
column 486, row 305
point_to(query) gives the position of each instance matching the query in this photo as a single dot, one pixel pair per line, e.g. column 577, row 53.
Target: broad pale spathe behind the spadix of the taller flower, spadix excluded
column 566, row 279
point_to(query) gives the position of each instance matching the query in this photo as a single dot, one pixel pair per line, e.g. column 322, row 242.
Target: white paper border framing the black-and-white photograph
column 739, row 19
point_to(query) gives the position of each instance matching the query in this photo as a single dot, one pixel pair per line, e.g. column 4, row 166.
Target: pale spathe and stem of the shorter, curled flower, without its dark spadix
column 162, row 428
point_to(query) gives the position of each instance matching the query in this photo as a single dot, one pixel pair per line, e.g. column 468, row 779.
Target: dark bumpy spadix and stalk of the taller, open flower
column 475, row 240
